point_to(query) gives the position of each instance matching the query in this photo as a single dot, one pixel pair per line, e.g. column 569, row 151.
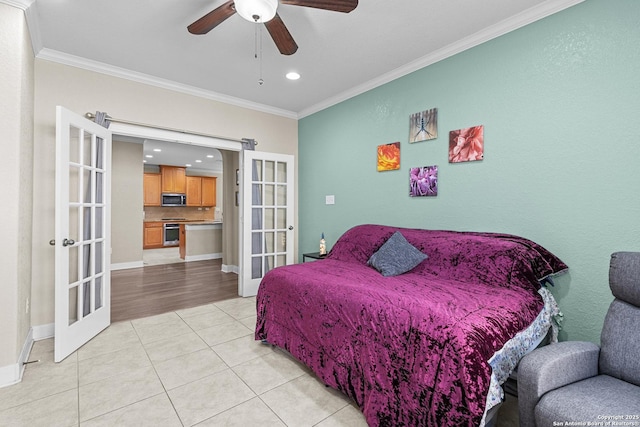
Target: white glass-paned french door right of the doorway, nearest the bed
column 267, row 216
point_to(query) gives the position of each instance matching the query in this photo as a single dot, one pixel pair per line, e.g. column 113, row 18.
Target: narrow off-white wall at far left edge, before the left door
column 16, row 174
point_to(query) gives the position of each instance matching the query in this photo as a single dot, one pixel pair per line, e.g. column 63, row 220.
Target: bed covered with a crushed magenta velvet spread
column 425, row 347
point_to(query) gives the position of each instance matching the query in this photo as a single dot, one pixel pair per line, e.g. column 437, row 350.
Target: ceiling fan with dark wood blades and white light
column 264, row 11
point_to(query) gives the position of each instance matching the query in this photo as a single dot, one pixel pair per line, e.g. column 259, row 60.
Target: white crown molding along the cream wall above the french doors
column 123, row 73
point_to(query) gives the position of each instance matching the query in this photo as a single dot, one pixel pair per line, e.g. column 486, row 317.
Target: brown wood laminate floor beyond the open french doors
column 157, row 289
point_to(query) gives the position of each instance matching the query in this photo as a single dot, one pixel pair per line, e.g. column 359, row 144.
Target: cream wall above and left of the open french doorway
column 84, row 91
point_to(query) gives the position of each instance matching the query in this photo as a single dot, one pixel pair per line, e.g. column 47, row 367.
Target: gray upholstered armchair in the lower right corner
column 581, row 382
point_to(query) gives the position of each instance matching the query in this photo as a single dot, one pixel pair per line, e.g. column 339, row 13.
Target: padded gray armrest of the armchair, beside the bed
column 551, row 367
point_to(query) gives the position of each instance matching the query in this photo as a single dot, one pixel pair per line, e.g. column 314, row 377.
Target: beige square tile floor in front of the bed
column 199, row 366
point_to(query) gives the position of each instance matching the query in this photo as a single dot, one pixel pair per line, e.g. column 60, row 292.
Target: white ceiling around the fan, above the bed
column 339, row 55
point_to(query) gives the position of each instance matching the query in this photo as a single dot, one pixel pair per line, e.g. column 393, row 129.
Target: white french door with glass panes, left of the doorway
column 82, row 231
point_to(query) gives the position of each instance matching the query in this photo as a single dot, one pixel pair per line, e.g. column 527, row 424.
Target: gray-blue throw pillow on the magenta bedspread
column 396, row 256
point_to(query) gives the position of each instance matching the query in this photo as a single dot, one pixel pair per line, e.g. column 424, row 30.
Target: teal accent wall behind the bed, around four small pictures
column 560, row 102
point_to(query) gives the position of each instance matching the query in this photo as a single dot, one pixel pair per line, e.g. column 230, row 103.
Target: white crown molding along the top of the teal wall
column 513, row 23
